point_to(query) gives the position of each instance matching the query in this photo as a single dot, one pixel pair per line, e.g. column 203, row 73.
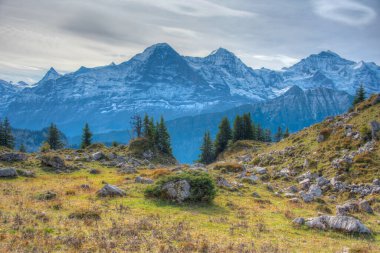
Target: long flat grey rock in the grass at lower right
column 345, row 224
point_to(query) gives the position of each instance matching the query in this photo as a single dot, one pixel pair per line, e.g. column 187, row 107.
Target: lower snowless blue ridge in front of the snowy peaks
column 295, row 109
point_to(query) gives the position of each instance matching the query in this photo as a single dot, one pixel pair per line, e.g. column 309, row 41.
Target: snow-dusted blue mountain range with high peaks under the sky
column 159, row 81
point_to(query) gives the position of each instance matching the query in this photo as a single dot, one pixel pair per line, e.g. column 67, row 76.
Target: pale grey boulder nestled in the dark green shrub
column 177, row 191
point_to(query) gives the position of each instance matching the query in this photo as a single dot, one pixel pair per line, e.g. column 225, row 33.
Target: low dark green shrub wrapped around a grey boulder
column 202, row 186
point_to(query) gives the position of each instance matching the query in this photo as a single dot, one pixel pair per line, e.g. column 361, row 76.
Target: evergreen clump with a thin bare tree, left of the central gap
column 156, row 133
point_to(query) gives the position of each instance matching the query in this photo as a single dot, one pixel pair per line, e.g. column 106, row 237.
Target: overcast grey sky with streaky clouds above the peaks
column 67, row 34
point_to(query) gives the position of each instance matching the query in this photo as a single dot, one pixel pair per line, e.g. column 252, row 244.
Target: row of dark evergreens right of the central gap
column 243, row 129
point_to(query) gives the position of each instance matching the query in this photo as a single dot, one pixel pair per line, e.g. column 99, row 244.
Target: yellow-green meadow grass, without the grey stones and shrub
column 235, row 222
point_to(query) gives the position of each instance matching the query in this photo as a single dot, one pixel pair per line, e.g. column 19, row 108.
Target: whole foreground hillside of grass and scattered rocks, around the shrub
column 53, row 204
